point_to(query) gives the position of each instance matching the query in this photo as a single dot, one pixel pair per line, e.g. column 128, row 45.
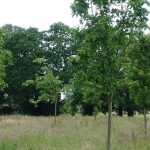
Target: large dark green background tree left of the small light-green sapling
column 25, row 47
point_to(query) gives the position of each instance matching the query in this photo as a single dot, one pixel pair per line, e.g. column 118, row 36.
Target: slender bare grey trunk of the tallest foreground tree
column 109, row 125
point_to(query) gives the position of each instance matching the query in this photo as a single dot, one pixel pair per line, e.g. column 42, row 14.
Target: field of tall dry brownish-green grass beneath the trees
column 71, row 133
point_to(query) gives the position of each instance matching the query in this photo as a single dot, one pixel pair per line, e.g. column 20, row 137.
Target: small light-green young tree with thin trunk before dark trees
column 47, row 86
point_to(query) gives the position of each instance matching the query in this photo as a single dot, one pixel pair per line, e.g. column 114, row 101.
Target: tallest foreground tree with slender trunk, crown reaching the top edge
column 109, row 25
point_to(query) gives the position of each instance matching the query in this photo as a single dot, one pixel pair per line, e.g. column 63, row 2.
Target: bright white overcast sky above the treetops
column 36, row 13
